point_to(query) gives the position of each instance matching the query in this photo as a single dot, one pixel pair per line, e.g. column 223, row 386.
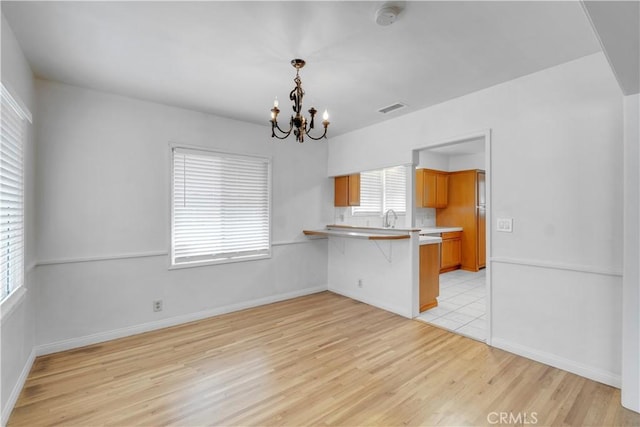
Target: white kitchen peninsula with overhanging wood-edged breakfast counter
column 380, row 266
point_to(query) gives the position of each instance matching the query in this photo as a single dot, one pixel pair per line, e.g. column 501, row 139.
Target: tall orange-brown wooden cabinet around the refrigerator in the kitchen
column 466, row 208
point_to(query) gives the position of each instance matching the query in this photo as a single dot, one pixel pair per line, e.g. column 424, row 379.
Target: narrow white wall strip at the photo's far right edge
column 631, row 281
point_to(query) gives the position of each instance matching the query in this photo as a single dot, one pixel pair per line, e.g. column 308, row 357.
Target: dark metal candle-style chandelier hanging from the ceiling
column 298, row 123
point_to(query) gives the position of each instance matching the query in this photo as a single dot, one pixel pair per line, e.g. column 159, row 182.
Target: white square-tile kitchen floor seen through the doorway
column 461, row 304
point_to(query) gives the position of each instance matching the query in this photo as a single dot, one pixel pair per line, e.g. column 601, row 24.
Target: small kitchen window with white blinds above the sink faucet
column 381, row 190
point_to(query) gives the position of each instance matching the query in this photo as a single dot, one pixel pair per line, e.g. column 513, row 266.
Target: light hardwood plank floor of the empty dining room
column 316, row 360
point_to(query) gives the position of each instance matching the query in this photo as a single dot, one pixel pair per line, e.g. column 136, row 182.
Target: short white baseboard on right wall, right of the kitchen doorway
column 595, row 374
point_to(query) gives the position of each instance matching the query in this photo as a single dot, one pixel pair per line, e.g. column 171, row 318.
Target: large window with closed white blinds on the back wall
column 220, row 207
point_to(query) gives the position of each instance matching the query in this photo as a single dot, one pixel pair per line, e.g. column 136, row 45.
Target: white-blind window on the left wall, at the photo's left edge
column 12, row 133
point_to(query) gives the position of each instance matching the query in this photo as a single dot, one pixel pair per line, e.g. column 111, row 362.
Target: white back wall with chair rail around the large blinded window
column 103, row 193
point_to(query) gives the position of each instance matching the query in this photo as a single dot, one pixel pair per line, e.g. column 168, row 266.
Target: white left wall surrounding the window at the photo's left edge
column 17, row 327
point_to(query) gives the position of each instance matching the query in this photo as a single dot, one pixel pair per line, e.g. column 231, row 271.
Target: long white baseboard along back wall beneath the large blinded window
column 164, row 323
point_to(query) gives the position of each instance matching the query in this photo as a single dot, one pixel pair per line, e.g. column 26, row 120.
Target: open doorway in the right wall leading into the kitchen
column 465, row 286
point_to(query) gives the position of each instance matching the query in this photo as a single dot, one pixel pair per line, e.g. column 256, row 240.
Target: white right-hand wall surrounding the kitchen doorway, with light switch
column 557, row 170
